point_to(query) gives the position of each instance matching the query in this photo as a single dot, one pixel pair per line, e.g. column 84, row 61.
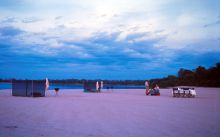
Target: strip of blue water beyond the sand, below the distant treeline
column 70, row 86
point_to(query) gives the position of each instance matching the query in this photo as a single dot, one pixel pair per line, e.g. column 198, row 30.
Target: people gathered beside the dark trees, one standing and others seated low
column 152, row 89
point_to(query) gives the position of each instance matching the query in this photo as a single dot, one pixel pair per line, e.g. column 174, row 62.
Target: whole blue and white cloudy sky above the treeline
column 107, row 39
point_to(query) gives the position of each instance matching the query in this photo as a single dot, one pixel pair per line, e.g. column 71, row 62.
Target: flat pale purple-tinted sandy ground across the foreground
column 118, row 113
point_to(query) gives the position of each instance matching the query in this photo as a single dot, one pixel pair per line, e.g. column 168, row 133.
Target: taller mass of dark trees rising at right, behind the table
column 198, row 77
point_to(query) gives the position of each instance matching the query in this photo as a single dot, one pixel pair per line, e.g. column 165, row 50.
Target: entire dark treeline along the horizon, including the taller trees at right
column 198, row 77
